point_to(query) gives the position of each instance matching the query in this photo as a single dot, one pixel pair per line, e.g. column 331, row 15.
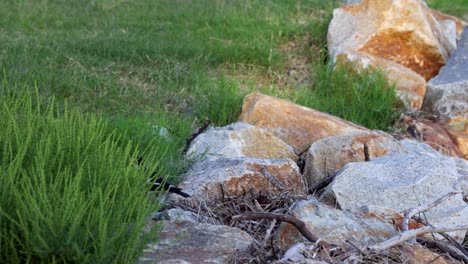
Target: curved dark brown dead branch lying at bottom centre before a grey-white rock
column 298, row 224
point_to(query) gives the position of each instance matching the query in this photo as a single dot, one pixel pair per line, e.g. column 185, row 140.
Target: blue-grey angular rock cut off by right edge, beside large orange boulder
column 447, row 93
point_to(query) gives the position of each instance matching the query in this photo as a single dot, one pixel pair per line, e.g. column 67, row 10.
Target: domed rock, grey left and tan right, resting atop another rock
column 240, row 140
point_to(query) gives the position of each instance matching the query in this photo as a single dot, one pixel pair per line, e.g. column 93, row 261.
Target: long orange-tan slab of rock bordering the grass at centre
column 297, row 125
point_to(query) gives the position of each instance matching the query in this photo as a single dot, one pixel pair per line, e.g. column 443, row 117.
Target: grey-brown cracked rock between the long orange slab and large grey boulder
column 330, row 154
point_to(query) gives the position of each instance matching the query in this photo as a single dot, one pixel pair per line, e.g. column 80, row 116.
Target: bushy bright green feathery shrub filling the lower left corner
column 69, row 190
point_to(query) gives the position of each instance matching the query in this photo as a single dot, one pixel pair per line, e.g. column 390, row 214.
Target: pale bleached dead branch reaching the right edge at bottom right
column 407, row 235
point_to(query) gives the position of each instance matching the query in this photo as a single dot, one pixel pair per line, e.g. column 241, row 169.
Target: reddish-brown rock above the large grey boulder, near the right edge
column 433, row 134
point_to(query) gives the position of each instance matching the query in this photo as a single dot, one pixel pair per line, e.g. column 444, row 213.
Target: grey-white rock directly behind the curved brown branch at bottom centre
column 334, row 226
